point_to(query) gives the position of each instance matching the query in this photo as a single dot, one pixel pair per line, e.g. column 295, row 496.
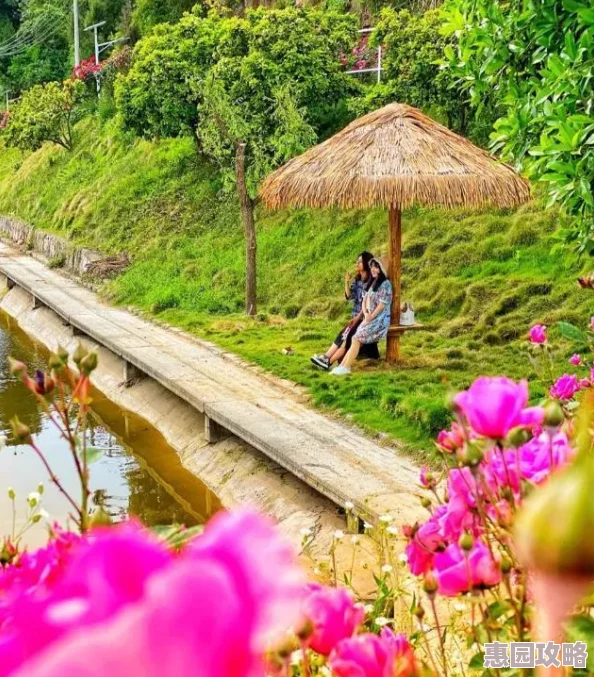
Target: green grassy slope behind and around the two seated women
column 477, row 280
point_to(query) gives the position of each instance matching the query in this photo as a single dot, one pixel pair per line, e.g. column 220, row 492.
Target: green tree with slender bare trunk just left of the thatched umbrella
column 276, row 87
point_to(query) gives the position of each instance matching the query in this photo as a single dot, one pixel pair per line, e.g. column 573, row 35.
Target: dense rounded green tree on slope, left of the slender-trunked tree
column 159, row 95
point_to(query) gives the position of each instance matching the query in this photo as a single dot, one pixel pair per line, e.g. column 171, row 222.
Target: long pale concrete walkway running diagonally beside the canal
column 341, row 464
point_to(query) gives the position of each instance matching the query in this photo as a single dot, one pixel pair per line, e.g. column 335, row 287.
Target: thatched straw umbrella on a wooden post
column 394, row 157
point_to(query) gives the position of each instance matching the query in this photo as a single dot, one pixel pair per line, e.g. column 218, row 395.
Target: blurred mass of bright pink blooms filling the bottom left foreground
column 128, row 601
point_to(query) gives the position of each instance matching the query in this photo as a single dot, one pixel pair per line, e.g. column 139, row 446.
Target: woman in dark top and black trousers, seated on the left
column 354, row 291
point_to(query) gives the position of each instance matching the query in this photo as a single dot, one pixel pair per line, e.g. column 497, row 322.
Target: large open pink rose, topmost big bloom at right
column 493, row 406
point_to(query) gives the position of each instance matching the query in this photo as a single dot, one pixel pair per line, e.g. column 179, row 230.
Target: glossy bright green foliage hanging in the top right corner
column 531, row 62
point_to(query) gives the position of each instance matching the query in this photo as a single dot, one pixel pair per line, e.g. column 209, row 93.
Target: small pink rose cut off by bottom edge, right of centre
column 363, row 656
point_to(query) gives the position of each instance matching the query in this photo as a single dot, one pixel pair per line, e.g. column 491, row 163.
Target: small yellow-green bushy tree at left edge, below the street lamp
column 44, row 113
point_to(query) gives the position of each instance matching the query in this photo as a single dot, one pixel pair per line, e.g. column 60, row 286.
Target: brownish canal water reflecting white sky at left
column 139, row 473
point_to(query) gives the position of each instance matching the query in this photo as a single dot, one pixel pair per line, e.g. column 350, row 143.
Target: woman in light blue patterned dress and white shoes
column 376, row 316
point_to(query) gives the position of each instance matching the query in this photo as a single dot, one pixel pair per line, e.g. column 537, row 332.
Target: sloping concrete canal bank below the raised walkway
column 237, row 473
